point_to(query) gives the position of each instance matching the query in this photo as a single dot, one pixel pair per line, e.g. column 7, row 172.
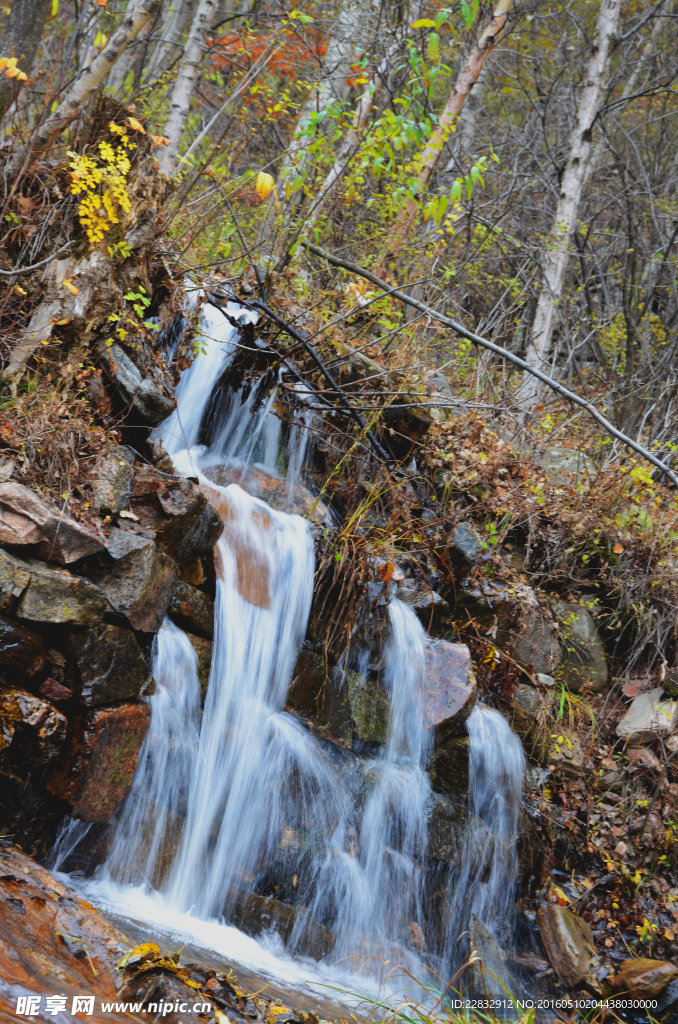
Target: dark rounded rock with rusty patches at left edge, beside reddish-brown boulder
column 33, row 730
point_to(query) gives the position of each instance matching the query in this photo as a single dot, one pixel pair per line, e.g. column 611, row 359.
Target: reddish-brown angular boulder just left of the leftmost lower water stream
column 96, row 772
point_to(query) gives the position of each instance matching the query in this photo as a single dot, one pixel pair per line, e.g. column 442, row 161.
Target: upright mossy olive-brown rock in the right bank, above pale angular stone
column 583, row 662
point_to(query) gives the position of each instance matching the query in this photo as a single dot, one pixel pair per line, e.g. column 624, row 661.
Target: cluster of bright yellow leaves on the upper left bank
column 102, row 181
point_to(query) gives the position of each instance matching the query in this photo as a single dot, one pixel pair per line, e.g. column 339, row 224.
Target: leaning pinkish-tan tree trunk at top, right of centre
column 467, row 80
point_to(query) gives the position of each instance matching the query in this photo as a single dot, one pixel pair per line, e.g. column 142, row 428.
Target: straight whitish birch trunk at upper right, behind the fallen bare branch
column 577, row 170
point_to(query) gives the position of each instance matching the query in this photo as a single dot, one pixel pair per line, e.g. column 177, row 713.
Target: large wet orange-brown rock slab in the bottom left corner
column 51, row 942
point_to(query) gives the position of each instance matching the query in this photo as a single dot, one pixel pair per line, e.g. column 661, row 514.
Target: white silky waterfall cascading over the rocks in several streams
column 221, row 796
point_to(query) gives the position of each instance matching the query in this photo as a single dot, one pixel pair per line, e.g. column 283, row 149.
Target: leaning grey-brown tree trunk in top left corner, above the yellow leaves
column 88, row 82
